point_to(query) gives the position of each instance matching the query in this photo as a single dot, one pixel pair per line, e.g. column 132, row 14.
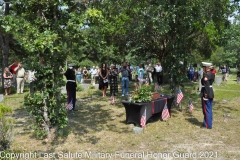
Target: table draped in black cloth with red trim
column 134, row 111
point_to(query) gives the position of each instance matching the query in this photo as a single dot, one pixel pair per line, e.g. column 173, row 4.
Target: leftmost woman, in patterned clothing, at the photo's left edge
column 7, row 75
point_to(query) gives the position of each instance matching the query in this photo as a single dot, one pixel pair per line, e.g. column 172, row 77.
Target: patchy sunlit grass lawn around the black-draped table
column 99, row 127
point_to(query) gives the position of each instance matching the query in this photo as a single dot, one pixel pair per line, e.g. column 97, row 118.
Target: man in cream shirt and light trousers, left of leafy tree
column 21, row 76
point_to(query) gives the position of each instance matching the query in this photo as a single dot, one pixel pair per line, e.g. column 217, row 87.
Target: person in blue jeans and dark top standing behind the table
column 125, row 70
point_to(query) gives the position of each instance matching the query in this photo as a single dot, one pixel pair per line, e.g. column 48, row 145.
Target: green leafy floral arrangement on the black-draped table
column 142, row 93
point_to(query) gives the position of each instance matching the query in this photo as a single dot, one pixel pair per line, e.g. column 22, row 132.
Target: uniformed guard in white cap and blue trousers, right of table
column 207, row 95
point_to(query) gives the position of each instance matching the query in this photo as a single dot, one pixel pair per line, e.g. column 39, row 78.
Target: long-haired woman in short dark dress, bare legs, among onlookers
column 103, row 79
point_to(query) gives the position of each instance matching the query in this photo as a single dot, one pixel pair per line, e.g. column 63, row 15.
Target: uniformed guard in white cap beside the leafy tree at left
column 71, row 85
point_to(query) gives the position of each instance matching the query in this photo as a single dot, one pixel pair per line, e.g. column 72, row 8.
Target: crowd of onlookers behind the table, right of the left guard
column 113, row 75
